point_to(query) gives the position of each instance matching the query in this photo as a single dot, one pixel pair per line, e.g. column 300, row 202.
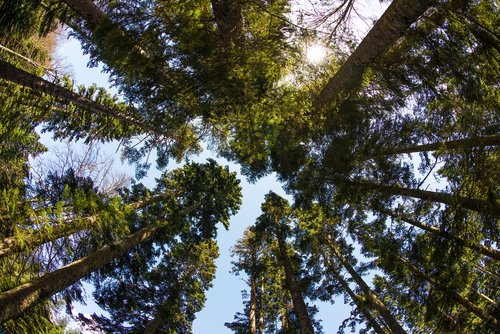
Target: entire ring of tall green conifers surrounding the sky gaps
column 421, row 87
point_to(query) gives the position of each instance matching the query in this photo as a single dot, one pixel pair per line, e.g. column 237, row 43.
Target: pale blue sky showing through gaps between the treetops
column 224, row 298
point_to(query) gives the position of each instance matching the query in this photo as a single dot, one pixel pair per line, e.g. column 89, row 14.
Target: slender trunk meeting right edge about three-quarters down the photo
column 493, row 253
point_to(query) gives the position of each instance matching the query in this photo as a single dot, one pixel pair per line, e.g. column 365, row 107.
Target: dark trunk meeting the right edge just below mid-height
column 481, row 206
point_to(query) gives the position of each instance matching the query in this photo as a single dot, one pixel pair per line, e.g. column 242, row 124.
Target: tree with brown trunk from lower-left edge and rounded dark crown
column 196, row 182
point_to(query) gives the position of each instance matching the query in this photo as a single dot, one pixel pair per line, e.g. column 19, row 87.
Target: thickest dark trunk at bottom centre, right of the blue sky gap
column 299, row 306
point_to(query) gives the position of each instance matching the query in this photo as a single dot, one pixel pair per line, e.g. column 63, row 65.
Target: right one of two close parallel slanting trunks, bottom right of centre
column 370, row 295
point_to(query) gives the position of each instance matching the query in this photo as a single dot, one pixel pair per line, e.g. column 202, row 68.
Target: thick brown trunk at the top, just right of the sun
column 398, row 17
